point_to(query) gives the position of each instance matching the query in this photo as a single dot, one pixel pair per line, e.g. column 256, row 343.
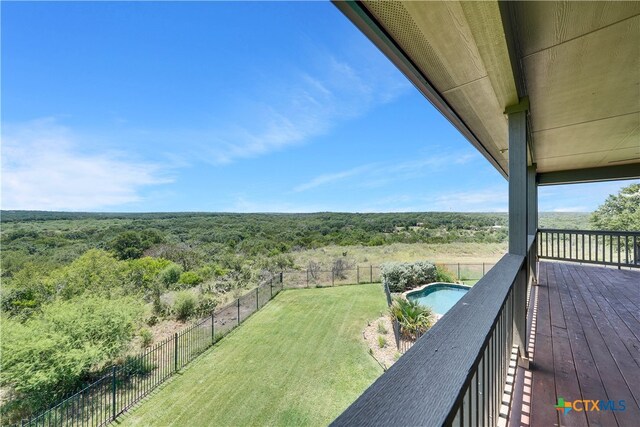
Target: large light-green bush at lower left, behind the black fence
column 50, row 355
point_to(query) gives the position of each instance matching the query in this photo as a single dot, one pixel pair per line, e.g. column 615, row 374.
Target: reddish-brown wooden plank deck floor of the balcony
column 585, row 344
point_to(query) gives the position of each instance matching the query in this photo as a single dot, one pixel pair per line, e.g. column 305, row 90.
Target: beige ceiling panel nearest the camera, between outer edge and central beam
column 437, row 38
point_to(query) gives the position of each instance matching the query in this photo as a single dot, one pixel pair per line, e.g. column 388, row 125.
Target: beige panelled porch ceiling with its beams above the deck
column 578, row 62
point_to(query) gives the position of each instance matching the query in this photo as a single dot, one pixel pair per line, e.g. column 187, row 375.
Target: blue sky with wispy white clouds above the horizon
column 244, row 107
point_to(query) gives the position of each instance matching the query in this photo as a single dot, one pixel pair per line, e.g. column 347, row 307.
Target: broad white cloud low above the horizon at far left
column 46, row 167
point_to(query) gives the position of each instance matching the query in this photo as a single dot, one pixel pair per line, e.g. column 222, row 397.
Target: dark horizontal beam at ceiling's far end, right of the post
column 606, row 173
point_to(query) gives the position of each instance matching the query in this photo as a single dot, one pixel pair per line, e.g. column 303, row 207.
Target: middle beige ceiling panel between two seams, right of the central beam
column 588, row 78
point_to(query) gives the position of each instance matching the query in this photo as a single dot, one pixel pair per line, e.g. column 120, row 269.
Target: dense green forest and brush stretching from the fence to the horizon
column 81, row 291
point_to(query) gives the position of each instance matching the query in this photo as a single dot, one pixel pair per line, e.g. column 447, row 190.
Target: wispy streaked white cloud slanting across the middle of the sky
column 307, row 104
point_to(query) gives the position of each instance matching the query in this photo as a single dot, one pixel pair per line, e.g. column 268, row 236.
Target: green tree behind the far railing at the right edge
column 620, row 211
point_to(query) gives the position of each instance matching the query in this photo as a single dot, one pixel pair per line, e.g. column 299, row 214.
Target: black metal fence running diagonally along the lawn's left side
column 126, row 383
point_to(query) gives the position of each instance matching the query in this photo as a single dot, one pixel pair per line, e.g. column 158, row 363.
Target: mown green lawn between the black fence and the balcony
column 301, row 360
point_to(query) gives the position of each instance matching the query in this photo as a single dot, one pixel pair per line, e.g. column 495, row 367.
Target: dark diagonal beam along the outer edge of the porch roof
column 358, row 14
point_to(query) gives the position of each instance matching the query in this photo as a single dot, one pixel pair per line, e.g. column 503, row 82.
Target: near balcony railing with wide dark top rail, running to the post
column 455, row 374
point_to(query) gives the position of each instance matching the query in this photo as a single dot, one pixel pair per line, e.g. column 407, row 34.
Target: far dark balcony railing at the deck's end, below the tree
column 620, row 248
